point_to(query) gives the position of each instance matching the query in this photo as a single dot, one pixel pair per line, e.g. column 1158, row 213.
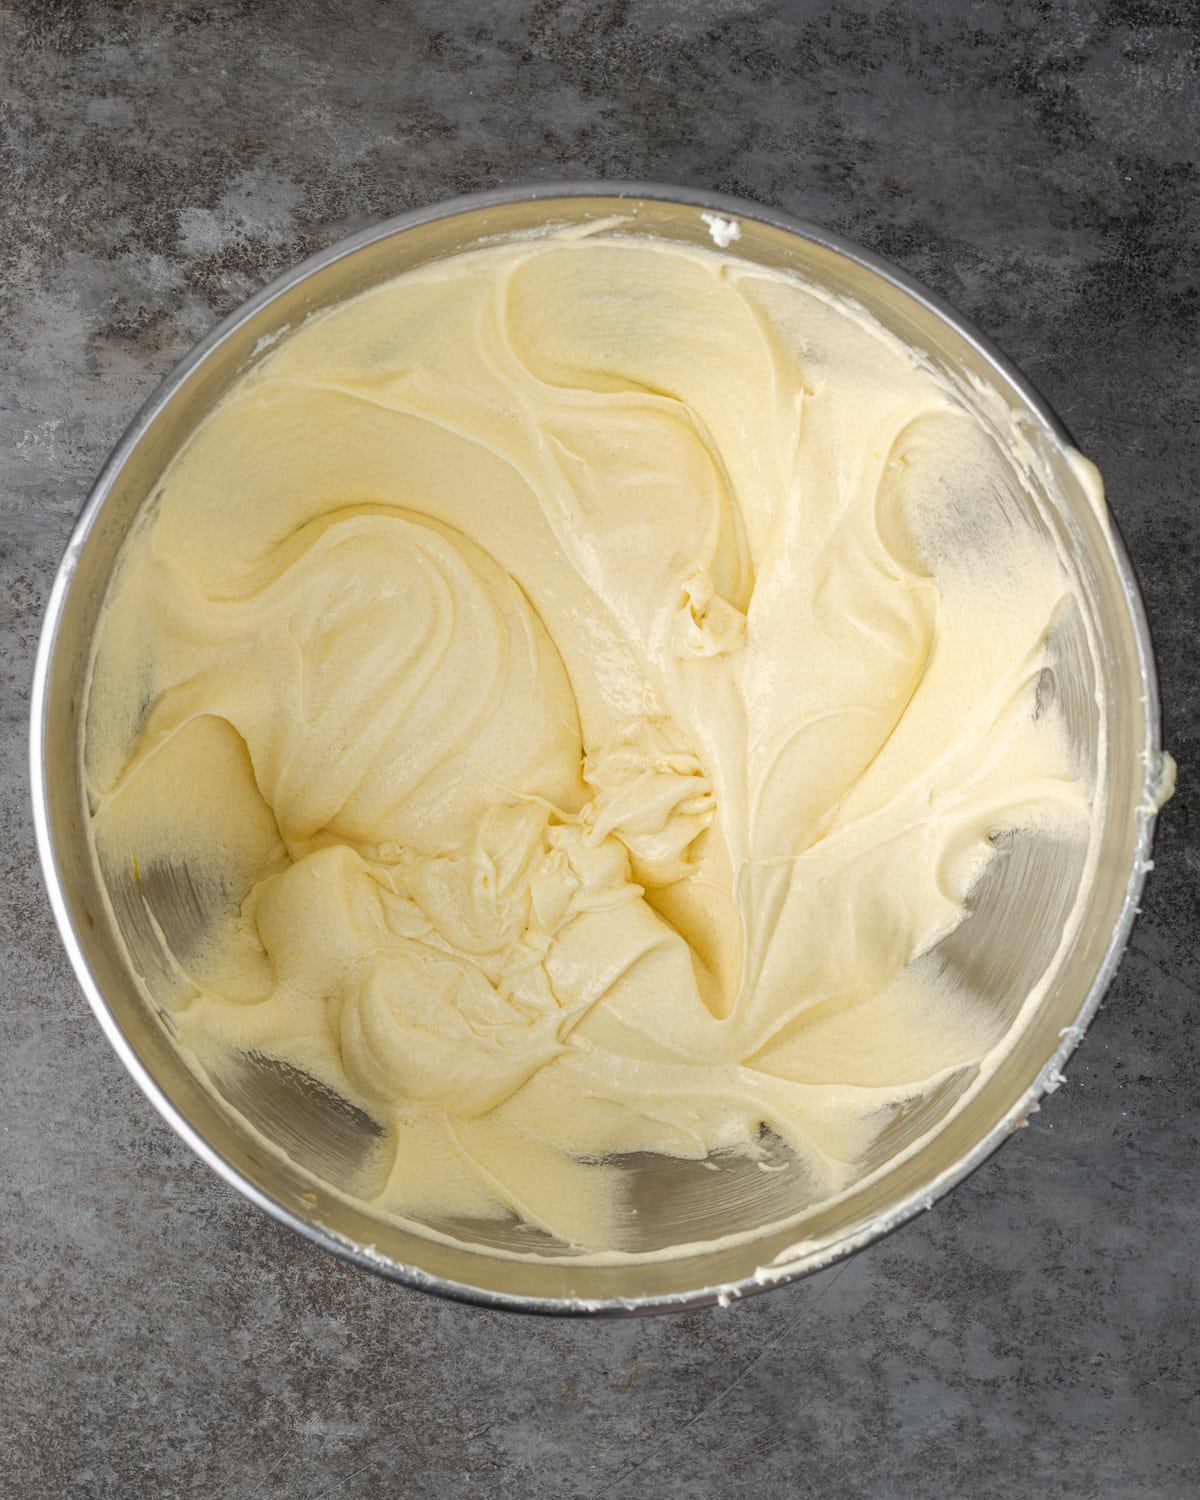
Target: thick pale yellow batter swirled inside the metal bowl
column 581, row 682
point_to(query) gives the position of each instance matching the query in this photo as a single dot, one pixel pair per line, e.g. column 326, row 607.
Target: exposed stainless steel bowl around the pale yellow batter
column 301, row 1144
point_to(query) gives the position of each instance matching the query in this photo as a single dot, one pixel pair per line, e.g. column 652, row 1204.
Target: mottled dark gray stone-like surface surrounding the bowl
column 1037, row 1333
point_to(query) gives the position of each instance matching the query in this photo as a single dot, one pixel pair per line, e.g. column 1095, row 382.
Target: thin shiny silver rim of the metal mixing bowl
column 365, row 1256
